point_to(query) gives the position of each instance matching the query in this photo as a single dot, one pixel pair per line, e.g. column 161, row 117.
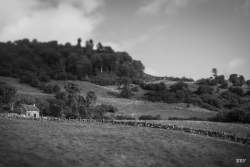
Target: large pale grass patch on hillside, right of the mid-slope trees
column 137, row 108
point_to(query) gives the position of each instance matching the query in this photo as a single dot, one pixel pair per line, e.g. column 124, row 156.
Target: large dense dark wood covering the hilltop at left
column 33, row 62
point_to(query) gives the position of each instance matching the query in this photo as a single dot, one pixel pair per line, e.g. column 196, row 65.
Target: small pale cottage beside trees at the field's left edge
column 30, row 111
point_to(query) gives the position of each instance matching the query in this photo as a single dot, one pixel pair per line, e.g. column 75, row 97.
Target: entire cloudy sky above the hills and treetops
column 171, row 37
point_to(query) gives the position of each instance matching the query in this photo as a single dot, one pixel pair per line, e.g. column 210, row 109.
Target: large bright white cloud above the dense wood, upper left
column 60, row 20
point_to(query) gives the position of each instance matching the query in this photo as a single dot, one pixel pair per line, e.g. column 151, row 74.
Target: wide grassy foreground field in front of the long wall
column 37, row 143
